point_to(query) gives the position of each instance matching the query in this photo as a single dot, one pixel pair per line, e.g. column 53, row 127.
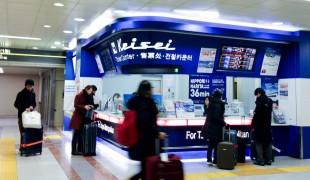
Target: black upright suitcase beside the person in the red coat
column 89, row 140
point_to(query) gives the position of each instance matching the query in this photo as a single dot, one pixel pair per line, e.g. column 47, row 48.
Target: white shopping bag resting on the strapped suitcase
column 31, row 119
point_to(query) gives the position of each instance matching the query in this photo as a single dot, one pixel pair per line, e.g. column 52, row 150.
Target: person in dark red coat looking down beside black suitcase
column 82, row 103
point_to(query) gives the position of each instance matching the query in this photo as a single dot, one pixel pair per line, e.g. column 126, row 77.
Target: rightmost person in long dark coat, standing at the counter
column 261, row 127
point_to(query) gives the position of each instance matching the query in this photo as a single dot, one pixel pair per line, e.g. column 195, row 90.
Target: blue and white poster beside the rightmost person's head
column 270, row 85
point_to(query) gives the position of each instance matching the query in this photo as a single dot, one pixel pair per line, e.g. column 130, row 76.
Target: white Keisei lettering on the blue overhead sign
column 120, row 46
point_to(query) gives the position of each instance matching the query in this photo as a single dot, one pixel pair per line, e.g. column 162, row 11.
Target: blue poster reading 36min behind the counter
column 201, row 86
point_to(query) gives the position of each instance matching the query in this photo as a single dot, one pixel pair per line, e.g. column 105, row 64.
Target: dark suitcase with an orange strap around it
column 31, row 141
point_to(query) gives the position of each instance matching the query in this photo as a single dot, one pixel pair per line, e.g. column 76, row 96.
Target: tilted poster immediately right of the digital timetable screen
column 271, row 62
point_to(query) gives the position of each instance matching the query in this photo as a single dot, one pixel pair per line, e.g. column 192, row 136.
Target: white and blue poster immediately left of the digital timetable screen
column 206, row 60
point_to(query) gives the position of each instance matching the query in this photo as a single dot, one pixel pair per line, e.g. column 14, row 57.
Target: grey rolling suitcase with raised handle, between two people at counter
column 226, row 154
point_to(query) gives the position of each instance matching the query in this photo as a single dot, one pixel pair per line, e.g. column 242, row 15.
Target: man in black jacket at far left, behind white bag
column 25, row 101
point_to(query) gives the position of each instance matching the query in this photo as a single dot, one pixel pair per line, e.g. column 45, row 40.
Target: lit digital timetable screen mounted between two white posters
column 237, row 58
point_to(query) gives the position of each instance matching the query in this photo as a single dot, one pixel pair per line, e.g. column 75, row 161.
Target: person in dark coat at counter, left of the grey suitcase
column 215, row 115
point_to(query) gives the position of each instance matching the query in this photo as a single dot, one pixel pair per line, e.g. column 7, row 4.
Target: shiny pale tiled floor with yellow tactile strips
column 56, row 162
